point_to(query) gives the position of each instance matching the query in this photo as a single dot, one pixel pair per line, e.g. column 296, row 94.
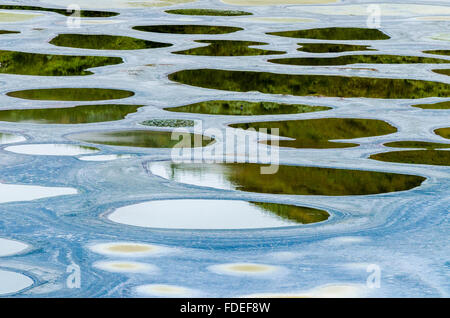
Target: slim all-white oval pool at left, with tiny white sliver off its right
column 52, row 149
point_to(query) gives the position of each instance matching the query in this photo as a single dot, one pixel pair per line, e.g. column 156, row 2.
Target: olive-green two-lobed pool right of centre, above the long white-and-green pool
column 316, row 133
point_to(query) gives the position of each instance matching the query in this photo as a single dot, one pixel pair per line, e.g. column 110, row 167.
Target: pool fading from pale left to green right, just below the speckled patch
column 140, row 138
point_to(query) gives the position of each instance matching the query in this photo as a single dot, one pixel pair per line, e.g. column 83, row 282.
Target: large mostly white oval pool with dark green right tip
column 215, row 215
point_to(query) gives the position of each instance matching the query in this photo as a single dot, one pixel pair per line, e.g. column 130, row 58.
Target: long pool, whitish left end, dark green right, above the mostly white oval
column 299, row 180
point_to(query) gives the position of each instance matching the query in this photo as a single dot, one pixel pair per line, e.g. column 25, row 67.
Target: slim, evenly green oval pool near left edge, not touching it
column 71, row 94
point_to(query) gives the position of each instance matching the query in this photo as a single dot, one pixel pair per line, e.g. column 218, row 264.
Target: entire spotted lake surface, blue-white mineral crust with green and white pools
column 86, row 122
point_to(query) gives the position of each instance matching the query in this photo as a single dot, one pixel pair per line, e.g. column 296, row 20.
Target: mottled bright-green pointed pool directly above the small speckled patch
column 220, row 107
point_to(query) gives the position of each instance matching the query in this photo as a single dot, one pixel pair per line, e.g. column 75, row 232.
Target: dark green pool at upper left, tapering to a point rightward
column 104, row 42
